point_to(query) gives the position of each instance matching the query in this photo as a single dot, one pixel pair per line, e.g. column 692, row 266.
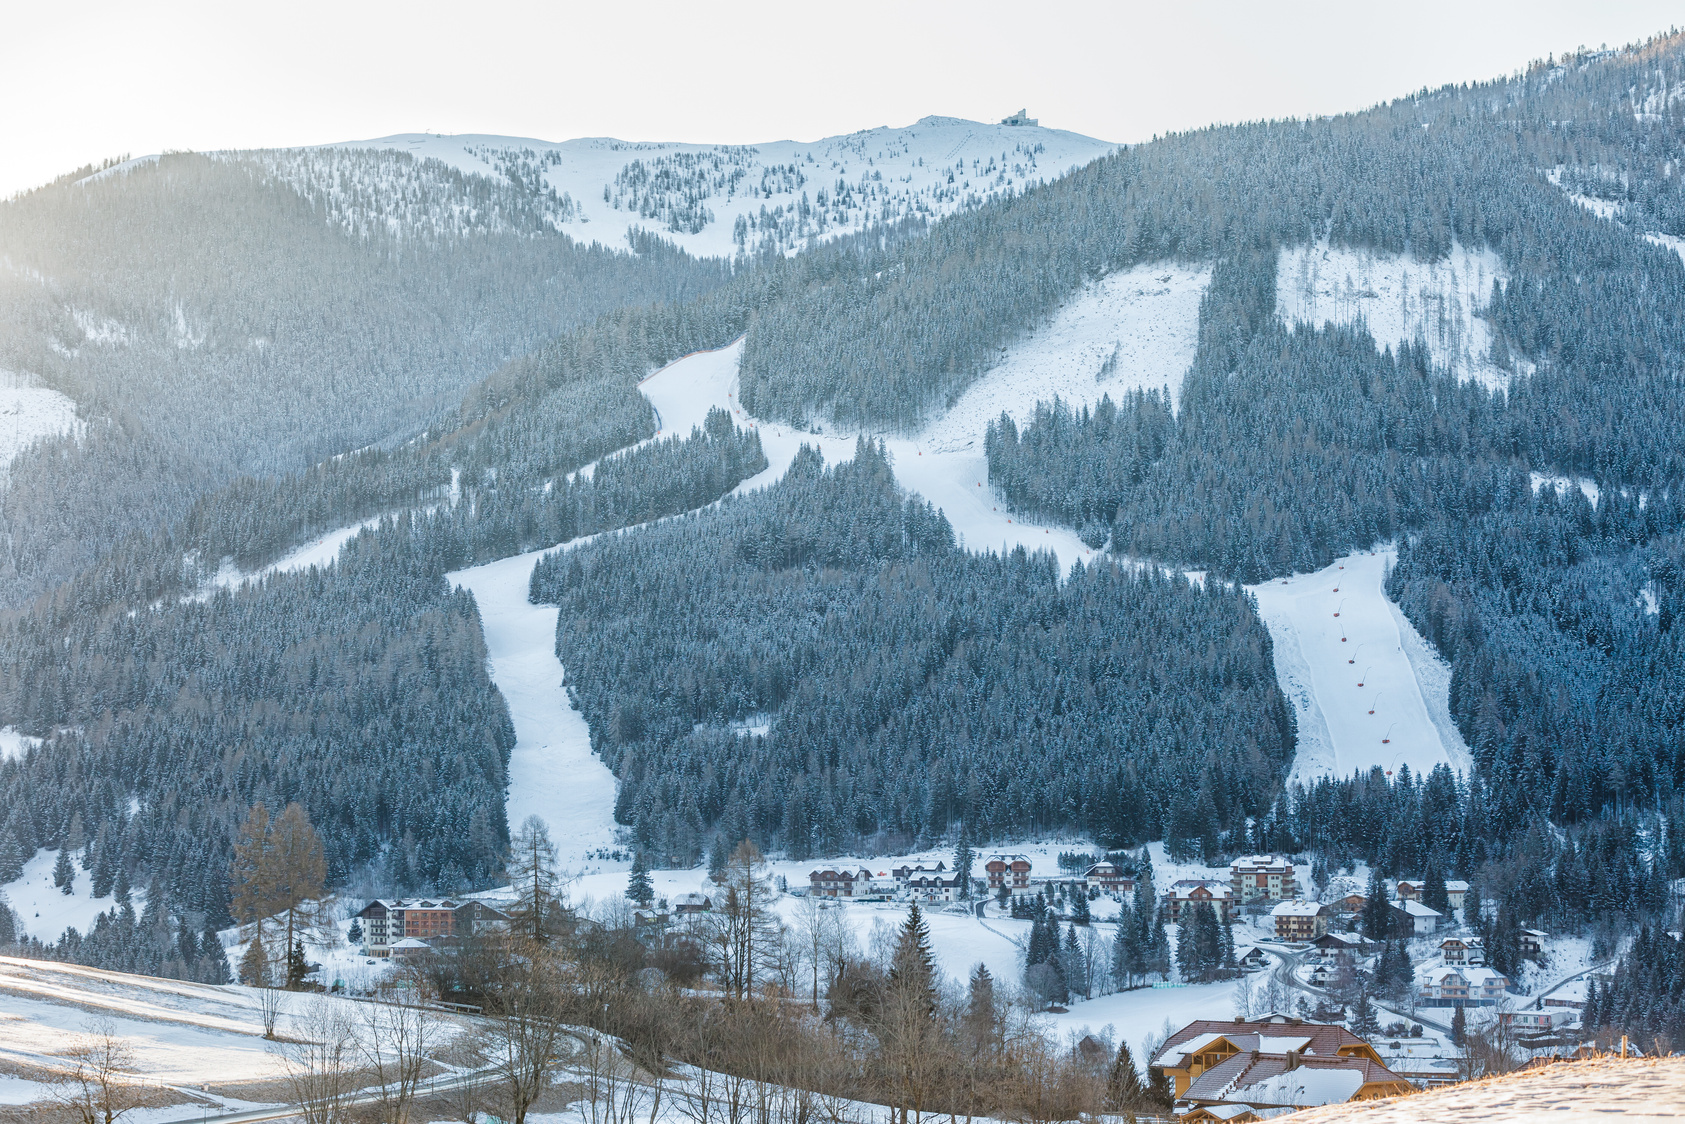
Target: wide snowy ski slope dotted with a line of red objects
column 1337, row 670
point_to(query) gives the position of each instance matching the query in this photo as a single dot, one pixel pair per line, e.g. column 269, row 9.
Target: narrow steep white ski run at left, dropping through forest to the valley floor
column 552, row 771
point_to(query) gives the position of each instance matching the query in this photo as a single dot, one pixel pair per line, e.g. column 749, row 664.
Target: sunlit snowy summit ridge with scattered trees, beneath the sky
column 719, row 200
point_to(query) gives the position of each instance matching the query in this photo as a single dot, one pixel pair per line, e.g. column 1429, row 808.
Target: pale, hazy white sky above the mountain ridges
column 102, row 78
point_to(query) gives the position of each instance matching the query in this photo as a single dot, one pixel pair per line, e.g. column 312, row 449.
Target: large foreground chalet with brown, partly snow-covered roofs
column 1258, row 1064
